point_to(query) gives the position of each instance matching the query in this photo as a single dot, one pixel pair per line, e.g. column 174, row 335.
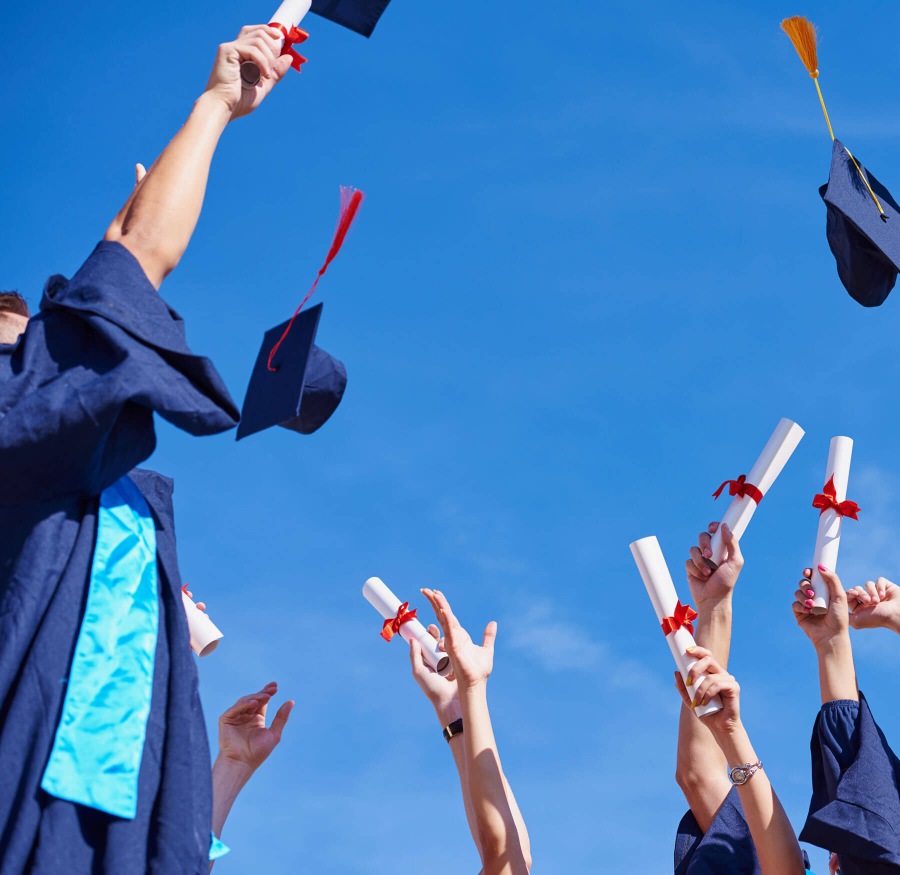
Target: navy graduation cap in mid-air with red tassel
column 296, row 384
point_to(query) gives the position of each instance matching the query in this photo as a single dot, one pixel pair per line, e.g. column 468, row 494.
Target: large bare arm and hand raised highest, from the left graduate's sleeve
column 158, row 219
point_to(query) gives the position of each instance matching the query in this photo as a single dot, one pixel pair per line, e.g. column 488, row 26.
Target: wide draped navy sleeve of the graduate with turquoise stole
column 79, row 390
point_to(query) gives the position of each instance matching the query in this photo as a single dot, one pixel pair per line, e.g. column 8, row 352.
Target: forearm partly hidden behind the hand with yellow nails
column 700, row 764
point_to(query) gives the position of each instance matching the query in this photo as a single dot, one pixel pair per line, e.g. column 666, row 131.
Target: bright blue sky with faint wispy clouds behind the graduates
column 589, row 277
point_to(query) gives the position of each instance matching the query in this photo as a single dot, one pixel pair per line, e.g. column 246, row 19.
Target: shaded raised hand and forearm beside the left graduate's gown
column 244, row 745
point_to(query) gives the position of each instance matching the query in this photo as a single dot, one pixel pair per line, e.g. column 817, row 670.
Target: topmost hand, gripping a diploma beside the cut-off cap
column 258, row 43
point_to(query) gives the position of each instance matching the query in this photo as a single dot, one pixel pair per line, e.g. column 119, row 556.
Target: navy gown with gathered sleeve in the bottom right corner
column 855, row 807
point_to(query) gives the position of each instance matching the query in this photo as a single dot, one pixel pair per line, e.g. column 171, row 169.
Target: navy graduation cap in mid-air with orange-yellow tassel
column 863, row 221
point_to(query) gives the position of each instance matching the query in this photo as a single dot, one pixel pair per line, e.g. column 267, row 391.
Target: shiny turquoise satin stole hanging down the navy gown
column 99, row 743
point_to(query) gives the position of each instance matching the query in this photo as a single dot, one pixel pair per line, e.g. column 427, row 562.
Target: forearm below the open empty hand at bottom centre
column 495, row 824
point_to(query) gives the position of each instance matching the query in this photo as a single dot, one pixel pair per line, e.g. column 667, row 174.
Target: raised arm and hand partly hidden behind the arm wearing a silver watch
column 700, row 765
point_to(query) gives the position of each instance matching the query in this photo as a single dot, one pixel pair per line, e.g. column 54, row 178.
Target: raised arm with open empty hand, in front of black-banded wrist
column 500, row 829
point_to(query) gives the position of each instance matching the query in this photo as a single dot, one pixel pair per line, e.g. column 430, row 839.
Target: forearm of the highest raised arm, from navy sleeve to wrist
column 157, row 221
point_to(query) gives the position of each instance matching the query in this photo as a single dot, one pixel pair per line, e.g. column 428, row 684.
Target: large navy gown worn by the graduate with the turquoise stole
column 77, row 396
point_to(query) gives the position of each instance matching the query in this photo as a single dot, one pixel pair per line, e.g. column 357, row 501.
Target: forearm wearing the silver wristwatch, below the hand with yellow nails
column 773, row 836
